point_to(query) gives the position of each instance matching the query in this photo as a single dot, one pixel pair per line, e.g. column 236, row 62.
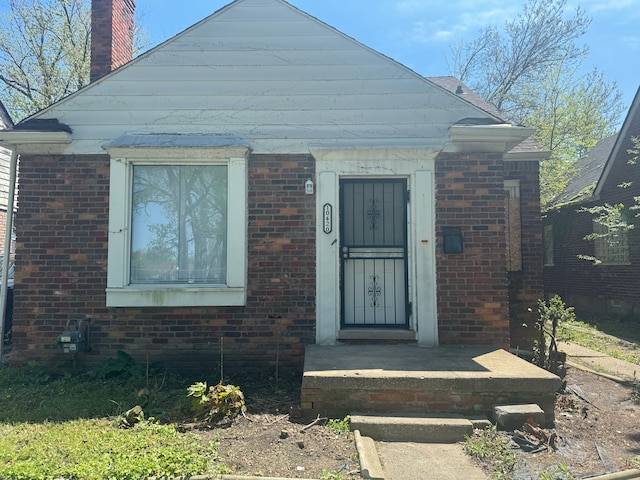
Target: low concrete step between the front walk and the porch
column 424, row 428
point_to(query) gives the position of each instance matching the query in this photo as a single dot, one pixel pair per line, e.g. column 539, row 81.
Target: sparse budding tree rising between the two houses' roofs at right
column 529, row 71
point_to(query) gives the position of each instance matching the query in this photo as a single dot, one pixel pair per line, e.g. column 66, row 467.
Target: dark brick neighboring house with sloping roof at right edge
column 610, row 285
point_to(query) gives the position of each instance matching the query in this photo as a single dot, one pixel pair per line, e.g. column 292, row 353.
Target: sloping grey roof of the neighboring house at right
column 592, row 170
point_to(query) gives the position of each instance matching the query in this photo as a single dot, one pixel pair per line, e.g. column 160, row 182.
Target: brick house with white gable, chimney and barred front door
column 262, row 182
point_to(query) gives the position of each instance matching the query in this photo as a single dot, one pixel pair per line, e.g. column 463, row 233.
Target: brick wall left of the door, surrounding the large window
column 61, row 272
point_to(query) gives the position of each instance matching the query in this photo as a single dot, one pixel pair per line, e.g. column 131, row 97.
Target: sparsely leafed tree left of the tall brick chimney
column 45, row 48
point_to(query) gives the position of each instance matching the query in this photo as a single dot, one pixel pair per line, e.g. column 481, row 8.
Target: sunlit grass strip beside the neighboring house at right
column 617, row 339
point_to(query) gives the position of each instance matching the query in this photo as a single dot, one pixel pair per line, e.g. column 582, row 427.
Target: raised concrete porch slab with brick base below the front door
column 344, row 379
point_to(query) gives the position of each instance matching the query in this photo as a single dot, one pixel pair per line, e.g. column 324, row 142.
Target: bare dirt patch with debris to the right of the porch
column 596, row 426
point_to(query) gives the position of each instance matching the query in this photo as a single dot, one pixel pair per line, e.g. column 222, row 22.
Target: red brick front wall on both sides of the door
column 62, row 263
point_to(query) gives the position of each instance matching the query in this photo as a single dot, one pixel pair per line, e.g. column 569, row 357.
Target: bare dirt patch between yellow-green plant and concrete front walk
column 272, row 439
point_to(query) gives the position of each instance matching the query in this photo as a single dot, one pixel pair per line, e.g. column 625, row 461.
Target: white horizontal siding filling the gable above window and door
column 263, row 71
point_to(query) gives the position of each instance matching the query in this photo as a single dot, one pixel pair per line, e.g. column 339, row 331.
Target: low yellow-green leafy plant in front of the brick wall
column 218, row 402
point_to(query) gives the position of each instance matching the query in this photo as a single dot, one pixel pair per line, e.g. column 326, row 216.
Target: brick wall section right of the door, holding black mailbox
column 479, row 302
